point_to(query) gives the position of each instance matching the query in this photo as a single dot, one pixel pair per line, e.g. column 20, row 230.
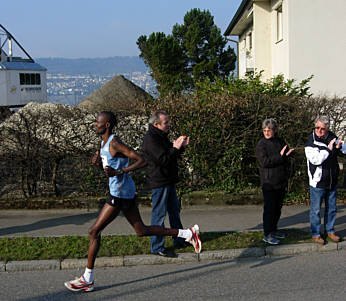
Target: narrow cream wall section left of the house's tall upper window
column 262, row 37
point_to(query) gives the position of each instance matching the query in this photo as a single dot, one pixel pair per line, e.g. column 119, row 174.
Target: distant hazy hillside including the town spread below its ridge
column 69, row 81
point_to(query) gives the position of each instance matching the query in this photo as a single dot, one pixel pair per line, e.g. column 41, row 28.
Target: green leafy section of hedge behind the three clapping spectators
column 223, row 120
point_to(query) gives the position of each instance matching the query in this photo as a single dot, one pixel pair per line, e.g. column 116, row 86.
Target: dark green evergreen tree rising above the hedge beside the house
column 194, row 51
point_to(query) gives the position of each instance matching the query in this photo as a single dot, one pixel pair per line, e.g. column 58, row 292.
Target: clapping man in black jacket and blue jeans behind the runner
column 161, row 156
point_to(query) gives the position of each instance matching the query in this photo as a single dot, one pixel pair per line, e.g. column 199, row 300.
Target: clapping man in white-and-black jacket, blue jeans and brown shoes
column 323, row 169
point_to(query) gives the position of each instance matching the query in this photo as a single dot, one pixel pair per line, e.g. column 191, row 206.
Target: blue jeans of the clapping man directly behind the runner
column 164, row 200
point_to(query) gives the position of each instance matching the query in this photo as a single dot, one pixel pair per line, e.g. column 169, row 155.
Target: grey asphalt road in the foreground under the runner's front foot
column 315, row 276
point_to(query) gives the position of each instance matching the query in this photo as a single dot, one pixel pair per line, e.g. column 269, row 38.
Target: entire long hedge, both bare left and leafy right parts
column 46, row 148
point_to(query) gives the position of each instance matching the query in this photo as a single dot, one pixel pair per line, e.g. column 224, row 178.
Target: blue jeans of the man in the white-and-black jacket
column 316, row 197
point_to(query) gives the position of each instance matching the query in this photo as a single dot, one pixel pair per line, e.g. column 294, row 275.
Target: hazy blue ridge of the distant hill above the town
column 100, row 66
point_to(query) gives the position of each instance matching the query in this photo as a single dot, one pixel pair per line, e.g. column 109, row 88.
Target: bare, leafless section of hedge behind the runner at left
column 46, row 150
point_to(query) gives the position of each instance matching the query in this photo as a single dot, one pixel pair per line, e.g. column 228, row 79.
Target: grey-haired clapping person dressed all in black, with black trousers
column 272, row 154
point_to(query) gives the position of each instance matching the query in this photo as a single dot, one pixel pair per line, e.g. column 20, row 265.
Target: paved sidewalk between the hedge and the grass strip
column 209, row 218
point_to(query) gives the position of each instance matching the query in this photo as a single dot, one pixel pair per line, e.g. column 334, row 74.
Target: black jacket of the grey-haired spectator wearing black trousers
column 274, row 171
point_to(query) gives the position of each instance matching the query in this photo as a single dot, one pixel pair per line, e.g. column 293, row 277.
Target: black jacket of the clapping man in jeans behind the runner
column 161, row 156
